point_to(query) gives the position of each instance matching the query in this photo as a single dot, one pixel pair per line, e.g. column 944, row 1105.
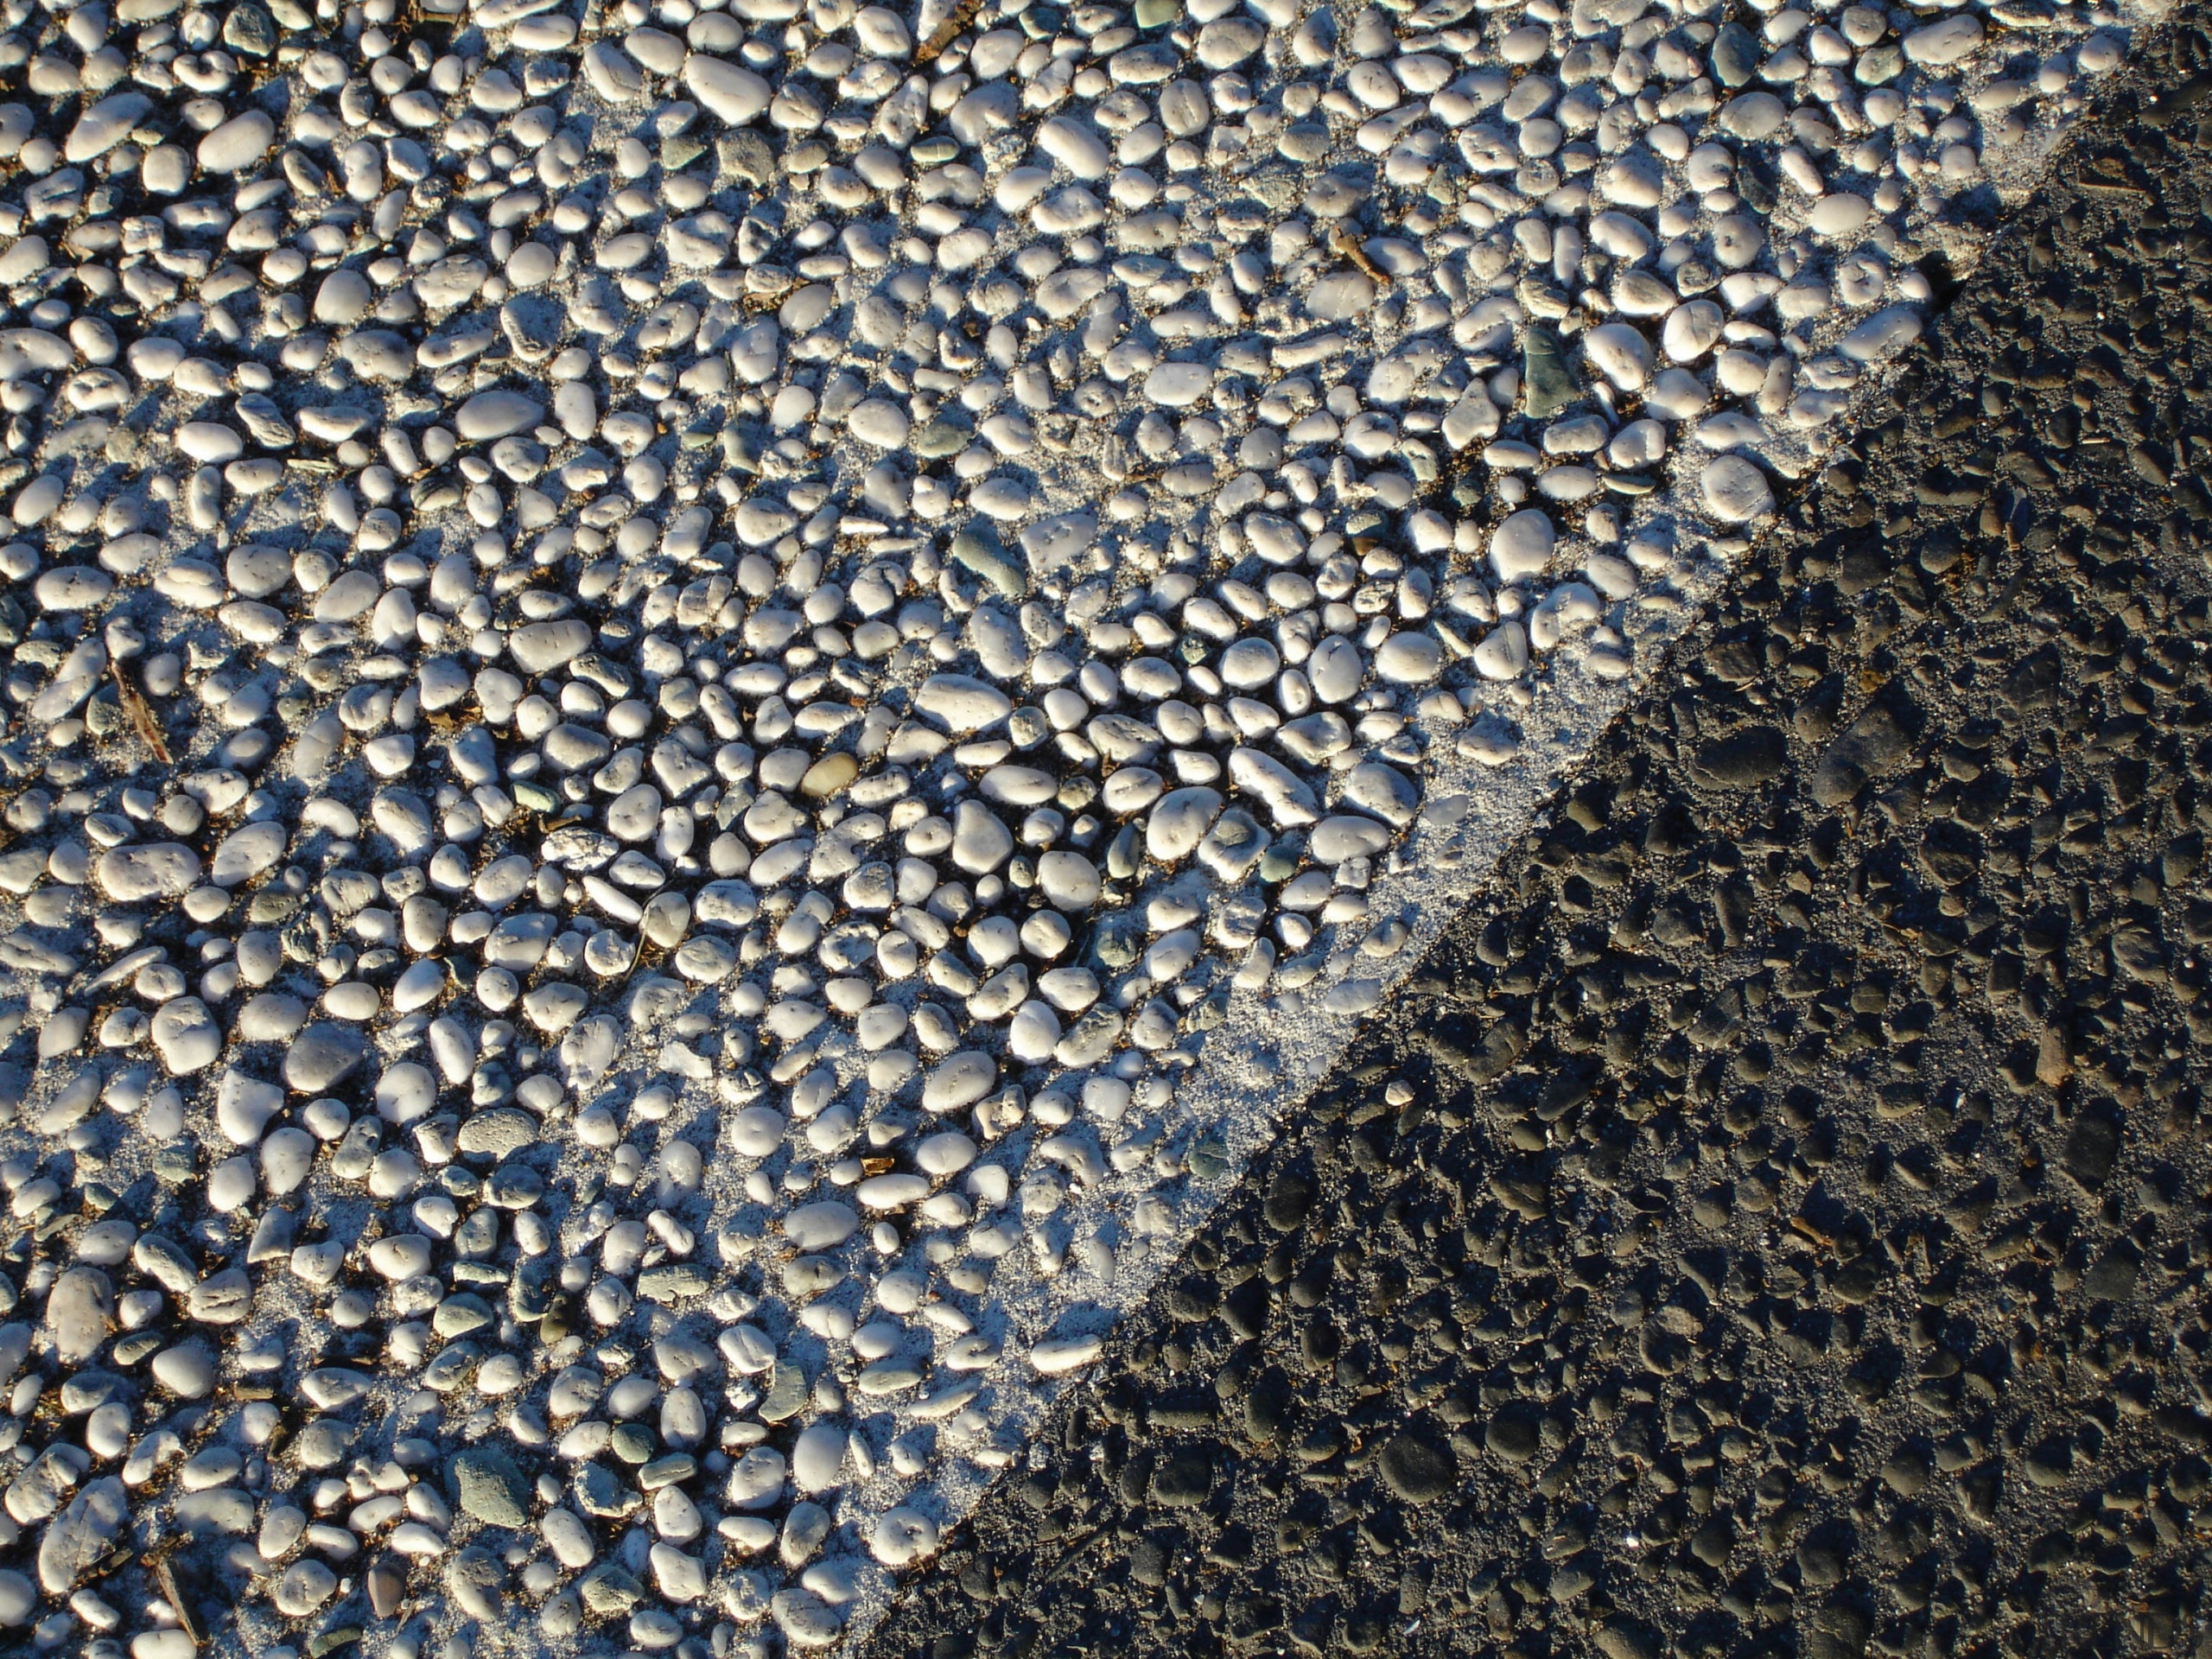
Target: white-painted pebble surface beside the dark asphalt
column 716, row 707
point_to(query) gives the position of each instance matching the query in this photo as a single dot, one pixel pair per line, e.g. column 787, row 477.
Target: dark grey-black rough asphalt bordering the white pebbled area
column 1780, row 1215
